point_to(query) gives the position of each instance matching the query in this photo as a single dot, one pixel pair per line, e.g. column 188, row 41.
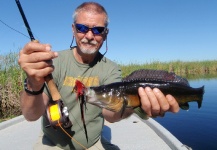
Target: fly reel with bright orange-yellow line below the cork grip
column 57, row 115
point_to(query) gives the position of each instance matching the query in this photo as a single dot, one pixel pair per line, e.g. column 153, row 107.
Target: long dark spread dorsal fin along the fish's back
column 155, row 75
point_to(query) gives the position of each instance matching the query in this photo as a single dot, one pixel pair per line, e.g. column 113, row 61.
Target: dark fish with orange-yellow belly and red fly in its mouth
column 120, row 95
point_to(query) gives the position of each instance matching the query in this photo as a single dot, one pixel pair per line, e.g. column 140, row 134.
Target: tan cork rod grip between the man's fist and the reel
column 52, row 87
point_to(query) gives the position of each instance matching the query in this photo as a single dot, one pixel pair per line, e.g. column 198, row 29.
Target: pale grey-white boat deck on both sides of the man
column 128, row 134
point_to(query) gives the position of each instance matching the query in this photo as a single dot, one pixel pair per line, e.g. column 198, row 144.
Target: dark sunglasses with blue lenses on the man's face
column 84, row 29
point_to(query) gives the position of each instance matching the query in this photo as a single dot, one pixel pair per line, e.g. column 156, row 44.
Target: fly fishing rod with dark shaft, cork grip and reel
column 56, row 112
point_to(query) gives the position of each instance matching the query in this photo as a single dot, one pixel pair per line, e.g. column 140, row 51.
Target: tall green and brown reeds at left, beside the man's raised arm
column 11, row 77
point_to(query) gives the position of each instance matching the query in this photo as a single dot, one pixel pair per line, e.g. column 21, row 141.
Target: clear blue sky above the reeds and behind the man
column 140, row 31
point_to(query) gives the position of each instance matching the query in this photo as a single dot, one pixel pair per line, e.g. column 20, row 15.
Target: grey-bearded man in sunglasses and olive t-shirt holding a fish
column 85, row 63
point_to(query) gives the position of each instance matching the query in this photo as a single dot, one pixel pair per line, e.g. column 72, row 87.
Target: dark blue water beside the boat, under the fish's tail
column 196, row 128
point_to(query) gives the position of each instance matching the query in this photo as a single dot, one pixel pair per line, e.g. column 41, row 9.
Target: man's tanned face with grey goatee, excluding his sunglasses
column 89, row 43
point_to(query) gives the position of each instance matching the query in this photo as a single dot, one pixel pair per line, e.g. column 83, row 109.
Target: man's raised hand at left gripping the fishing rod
column 36, row 60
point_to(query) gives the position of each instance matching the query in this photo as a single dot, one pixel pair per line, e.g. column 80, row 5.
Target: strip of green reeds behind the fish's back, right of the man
column 190, row 70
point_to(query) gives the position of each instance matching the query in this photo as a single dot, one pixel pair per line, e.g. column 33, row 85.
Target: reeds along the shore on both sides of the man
column 11, row 78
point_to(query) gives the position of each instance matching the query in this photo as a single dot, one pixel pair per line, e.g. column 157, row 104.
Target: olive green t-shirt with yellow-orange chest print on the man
column 67, row 70
